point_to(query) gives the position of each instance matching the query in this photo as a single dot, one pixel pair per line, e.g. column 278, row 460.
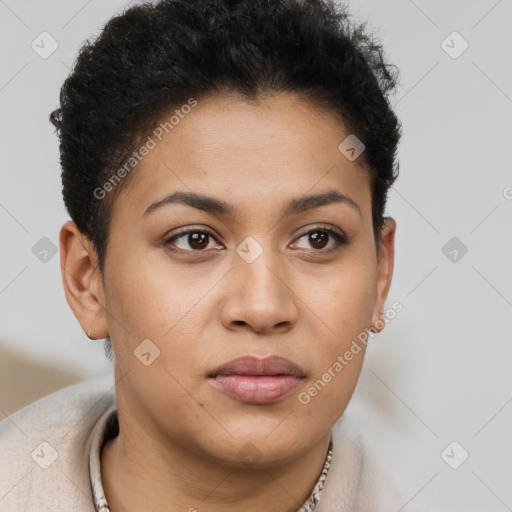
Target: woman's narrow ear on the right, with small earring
column 384, row 272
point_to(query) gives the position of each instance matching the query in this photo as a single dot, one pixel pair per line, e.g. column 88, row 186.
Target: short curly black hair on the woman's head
column 154, row 57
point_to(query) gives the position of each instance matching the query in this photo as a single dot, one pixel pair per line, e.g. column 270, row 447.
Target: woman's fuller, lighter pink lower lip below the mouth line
column 253, row 389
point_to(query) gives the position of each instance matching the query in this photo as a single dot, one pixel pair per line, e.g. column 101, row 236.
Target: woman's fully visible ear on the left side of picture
column 82, row 281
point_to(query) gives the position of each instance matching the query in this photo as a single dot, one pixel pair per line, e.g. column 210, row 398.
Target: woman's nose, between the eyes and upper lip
column 259, row 297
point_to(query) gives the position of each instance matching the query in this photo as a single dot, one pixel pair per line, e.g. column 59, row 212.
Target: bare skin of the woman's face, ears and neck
column 179, row 437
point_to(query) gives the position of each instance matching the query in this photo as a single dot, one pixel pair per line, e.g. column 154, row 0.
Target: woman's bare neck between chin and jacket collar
column 156, row 471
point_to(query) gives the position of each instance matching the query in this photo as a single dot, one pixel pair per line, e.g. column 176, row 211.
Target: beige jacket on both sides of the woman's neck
column 44, row 457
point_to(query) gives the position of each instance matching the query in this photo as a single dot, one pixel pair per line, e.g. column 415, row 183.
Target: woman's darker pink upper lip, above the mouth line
column 249, row 365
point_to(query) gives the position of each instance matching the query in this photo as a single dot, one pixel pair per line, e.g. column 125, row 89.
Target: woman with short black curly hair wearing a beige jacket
column 225, row 166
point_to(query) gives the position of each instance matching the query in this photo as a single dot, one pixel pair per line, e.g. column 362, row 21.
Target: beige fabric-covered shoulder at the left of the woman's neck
column 44, row 448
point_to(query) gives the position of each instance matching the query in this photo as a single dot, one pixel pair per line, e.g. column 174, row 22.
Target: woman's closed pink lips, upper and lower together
column 257, row 381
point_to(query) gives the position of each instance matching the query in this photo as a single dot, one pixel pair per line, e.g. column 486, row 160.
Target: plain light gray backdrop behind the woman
column 441, row 370
